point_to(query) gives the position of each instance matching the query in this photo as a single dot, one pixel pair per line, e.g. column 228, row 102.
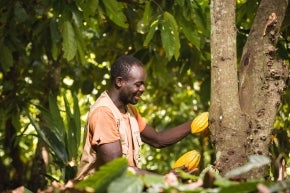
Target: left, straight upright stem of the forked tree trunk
column 227, row 122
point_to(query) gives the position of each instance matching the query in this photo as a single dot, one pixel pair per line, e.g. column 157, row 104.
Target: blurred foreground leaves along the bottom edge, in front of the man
column 114, row 177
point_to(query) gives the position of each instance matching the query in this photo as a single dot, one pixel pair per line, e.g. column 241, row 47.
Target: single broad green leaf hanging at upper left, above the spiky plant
column 69, row 45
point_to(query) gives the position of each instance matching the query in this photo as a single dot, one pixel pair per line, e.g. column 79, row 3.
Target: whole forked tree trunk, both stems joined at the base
column 243, row 107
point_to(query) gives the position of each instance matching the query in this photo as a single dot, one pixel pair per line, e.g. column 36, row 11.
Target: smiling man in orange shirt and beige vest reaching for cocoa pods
column 115, row 128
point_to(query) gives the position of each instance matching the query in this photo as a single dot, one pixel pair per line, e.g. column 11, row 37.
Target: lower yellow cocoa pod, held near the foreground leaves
column 189, row 160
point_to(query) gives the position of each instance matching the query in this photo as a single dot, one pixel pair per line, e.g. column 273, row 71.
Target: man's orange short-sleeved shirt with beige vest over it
column 102, row 128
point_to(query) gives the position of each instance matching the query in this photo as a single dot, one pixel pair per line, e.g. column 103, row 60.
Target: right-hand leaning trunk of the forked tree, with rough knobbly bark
column 262, row 78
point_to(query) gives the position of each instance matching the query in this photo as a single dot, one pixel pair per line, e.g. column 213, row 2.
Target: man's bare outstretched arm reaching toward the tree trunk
column 166, row 137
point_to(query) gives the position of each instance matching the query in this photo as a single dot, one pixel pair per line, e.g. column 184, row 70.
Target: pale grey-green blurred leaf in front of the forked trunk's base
column 255, row 161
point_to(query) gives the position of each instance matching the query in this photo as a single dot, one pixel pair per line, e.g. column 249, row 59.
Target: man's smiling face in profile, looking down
column 133, row 86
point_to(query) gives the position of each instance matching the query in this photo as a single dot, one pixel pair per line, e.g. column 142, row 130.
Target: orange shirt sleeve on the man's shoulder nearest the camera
column 103, row 127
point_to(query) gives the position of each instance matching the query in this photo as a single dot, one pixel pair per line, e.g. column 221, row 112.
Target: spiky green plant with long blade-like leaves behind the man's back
column 61, row 135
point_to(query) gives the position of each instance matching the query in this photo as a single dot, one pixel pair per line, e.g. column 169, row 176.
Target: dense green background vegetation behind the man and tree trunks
column 55, row 56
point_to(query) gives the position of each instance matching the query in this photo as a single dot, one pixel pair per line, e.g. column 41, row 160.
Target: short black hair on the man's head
column 122, row 66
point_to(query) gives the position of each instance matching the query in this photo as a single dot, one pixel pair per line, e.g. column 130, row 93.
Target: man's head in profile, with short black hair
column 128, row 78
